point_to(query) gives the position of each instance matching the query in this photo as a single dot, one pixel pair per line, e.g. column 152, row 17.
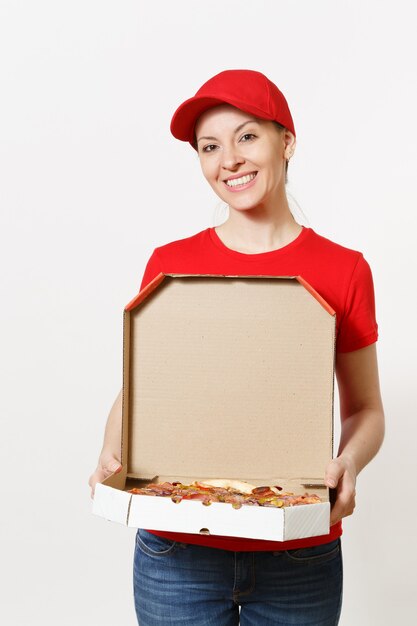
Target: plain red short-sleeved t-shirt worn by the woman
column 340, row 275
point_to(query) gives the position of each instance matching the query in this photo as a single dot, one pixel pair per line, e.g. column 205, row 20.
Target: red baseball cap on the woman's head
column 247, row 90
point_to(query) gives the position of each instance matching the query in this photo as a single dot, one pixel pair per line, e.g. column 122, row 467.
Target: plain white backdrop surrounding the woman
column 92, row 181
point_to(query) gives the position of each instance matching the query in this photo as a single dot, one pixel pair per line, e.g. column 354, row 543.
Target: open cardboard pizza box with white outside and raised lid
column 225, row 377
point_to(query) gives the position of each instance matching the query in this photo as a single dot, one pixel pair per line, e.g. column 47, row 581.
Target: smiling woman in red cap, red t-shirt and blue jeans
column 241, row 127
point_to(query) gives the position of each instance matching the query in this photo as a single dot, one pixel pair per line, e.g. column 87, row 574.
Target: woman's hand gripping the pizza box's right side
column 341, row 475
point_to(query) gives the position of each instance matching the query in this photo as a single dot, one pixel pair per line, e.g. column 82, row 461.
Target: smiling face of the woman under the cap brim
column 242, row 157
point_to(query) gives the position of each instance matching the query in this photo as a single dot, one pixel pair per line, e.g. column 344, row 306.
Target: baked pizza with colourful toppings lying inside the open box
column 235, row 492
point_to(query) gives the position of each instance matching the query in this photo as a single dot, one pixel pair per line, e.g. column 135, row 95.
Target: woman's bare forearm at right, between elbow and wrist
column 362, row 436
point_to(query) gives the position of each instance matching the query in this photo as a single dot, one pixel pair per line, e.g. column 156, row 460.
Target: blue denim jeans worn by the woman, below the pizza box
column 178, row 583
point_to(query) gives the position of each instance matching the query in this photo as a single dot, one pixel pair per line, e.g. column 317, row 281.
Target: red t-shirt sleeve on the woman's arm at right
column 358, row 327
